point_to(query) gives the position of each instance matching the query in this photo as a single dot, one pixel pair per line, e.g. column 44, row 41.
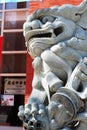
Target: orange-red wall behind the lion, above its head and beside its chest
column 34, row 6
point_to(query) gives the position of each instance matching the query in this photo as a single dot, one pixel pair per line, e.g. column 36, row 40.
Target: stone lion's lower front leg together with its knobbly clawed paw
column 34, row 114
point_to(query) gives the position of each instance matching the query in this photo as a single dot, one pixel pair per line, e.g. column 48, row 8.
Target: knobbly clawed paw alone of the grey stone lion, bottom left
column 34, row 116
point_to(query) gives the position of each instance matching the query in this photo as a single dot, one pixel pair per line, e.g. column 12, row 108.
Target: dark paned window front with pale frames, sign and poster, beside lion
column 12, row 61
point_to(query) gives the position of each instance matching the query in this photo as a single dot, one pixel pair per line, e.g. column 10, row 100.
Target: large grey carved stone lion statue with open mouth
column 56, row 39
